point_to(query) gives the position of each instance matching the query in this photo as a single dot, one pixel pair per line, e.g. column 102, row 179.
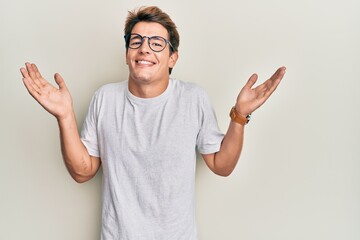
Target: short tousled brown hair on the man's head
column 154, row 14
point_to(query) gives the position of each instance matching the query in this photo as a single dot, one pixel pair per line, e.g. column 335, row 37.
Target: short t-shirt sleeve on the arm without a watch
column 89, row 129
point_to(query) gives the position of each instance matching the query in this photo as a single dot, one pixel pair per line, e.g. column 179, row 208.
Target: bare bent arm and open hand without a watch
column 57, row 101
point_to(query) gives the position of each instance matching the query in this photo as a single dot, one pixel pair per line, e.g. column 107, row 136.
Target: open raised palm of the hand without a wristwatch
column 56, row 101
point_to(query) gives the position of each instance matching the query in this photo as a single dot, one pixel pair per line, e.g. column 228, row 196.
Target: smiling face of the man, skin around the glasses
column 145, row 65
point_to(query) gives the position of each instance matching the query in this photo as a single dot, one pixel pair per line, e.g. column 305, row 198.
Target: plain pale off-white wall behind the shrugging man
column 299, row 174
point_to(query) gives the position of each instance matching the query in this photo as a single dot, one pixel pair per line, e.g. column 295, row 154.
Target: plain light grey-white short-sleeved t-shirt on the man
column 148, row 151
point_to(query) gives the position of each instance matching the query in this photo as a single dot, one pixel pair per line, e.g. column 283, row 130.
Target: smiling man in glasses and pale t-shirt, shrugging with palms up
column 145, row 132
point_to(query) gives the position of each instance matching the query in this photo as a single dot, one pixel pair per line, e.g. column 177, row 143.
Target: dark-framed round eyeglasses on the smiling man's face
column 156, row 43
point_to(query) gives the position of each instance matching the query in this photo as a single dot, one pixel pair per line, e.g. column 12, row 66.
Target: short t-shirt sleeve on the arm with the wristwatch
column 209, row 138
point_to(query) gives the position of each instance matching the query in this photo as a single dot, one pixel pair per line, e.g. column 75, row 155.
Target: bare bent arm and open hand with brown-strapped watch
column 249, row 99
